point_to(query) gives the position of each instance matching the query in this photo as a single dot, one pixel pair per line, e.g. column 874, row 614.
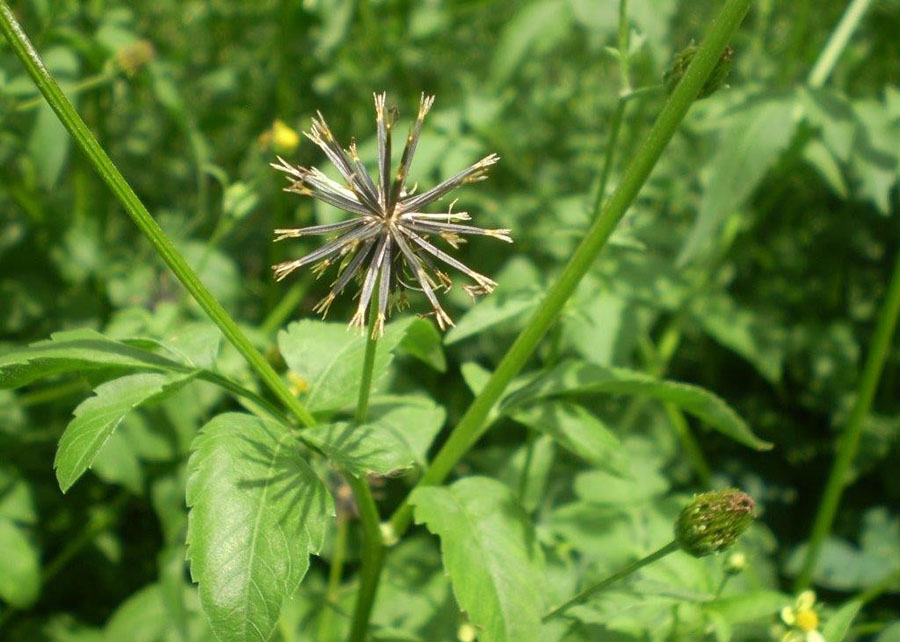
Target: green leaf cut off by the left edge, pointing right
column 76, row 351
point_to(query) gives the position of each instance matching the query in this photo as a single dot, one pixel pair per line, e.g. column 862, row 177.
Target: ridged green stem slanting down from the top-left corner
column 139, row 214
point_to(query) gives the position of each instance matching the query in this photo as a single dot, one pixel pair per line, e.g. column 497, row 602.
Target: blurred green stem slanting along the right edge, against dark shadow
column 849, row 440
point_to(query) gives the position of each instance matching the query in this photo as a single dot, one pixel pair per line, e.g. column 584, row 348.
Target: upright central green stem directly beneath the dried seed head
column 373, row 543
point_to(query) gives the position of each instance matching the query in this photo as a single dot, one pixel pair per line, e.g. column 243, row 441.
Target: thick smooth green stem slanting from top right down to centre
column 470, row 426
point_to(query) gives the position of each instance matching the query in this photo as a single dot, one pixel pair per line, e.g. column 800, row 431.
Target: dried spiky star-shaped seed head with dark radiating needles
column 388, row 237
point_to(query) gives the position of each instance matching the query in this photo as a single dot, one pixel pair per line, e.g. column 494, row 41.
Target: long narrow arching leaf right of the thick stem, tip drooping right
column 576, row 378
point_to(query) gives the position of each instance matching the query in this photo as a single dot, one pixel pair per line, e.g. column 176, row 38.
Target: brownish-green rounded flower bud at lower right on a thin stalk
column 713, row 521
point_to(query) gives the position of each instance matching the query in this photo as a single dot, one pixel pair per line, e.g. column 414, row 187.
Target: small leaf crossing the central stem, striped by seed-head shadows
column 377, row 447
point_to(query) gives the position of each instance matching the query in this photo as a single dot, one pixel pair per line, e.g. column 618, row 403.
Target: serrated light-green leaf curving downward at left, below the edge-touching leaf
column 97, row 418
